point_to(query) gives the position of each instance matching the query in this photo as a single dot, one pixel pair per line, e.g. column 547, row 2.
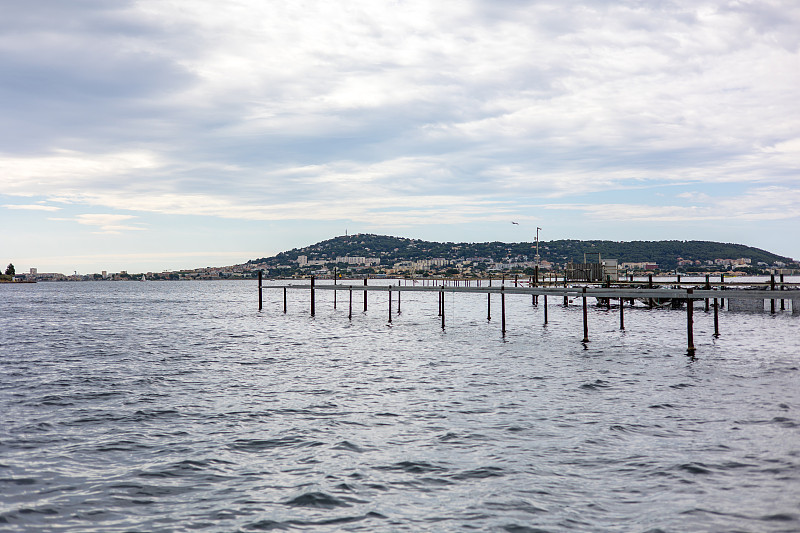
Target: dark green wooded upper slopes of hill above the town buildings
column 394, row 249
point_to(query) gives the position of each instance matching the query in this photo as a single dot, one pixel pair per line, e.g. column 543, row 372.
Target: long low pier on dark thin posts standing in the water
column 674, row 294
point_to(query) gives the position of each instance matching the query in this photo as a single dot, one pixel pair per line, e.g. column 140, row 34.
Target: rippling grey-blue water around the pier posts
column 168, row 406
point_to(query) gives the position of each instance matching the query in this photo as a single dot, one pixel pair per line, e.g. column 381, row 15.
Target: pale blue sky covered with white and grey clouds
column 158, row 135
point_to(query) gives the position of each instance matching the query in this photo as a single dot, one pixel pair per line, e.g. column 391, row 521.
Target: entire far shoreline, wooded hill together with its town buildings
column 380, row 256
